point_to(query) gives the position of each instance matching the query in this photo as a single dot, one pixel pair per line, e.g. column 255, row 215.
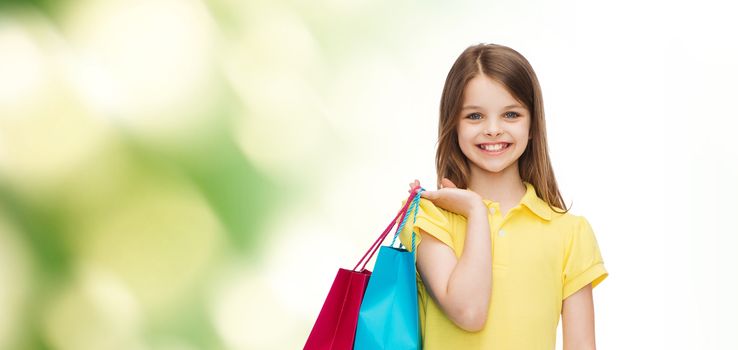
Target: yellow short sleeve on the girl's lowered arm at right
column 582, row 260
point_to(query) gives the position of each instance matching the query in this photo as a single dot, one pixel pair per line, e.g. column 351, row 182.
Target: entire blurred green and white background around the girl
column 190, row 174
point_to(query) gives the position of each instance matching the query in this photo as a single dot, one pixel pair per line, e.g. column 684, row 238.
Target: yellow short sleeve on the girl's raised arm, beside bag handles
column 431, row 219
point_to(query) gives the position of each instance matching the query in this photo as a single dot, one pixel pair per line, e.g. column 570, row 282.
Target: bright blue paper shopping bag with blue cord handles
column 388, row 317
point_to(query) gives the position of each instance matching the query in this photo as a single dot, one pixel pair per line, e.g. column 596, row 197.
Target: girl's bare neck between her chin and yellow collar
column 503, row 187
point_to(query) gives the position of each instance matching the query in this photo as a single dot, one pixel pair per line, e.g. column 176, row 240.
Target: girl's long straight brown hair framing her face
column 513, row 71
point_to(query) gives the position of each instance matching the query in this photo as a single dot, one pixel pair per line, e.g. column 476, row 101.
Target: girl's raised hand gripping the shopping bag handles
column 451, row 198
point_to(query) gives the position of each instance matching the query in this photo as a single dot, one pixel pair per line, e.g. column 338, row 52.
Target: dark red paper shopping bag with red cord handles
column 335, row 326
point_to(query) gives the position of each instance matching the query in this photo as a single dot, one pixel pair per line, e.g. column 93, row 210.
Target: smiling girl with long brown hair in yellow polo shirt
column 498, row 260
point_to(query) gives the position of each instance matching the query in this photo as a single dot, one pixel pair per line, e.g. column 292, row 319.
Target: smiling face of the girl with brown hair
column 491, row 117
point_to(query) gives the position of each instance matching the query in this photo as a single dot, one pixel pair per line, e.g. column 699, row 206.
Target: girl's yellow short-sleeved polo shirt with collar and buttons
column 539, row 258
